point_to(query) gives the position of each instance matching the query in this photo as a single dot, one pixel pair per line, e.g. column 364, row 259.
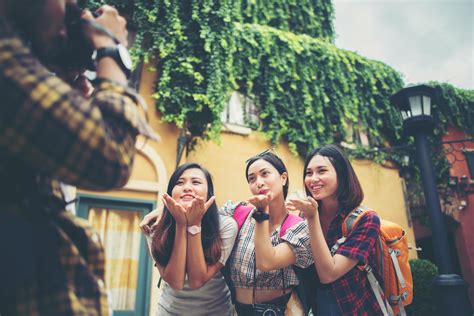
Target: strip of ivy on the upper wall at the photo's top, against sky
column 313, row 18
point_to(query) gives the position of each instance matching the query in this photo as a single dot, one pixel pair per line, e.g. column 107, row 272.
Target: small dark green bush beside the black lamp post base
column 423, row 272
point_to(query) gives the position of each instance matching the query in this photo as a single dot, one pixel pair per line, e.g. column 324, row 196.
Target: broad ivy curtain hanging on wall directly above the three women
column 308, row 91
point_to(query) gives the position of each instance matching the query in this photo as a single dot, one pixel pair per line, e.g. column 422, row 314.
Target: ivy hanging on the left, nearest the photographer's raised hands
column 191, row 42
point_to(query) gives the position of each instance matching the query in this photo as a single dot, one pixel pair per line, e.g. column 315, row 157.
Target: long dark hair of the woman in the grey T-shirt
column 163, row 238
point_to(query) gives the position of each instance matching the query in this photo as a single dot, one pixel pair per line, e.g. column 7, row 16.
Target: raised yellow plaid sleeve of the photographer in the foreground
column 48, row 125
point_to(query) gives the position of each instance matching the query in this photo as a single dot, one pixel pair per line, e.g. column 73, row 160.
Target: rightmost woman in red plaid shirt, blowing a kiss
column 334, row 191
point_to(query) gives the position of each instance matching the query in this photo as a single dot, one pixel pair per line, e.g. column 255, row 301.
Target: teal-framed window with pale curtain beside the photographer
column 127, row 264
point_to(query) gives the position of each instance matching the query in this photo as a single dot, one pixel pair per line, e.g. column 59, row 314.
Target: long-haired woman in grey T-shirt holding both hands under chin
column 190, row 244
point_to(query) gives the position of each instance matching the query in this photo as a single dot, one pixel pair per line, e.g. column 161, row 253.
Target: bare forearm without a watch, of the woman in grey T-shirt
column 175, row 271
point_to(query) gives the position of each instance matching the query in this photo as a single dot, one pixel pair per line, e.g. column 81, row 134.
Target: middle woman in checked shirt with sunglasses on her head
column 261, row 263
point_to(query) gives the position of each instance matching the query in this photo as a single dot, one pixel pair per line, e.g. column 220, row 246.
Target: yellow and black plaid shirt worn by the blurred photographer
column 52, row 262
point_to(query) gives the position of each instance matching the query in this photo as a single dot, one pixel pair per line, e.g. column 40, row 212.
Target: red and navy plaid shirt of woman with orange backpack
column 352, row 291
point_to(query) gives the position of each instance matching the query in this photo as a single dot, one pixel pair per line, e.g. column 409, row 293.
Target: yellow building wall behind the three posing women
column 382, row 186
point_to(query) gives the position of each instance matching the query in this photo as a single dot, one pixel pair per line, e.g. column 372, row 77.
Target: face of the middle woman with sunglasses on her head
column 263, row 178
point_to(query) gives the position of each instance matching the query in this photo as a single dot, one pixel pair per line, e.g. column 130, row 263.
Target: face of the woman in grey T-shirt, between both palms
column 192, row 183
